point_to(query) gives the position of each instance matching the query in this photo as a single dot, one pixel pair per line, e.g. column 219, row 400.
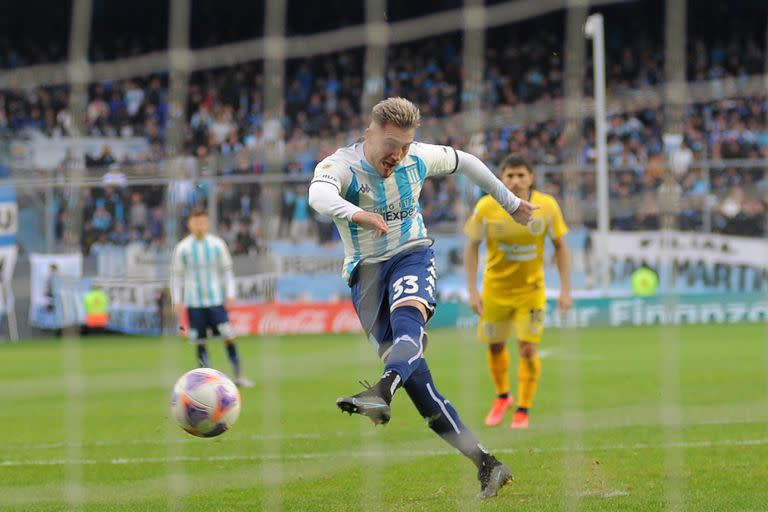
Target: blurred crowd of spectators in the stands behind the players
column 229, row 131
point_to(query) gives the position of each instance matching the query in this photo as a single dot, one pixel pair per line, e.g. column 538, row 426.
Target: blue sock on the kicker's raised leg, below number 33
column 407, row 349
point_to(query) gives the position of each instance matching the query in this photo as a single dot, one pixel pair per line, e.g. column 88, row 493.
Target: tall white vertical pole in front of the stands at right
column 594, row 30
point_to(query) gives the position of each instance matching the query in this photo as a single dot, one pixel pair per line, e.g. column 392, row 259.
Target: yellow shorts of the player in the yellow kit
column 522, row 314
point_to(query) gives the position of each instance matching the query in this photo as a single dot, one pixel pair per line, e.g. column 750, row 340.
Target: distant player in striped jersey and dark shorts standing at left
column 202, row 281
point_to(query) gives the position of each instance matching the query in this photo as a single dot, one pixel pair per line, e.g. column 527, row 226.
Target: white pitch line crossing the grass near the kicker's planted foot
column 382, row 454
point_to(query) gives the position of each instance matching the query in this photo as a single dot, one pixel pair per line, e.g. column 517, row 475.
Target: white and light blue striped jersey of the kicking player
column 396, row 198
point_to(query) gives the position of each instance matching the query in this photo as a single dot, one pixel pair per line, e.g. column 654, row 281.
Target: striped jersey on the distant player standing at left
column 201, row 272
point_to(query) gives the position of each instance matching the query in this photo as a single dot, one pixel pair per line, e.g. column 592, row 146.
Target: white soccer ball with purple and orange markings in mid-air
column 205, row 402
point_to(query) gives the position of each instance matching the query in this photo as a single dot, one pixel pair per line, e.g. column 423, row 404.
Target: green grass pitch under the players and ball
column 635, row 419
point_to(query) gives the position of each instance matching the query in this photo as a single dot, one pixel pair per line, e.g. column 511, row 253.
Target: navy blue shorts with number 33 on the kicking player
column 378, row 287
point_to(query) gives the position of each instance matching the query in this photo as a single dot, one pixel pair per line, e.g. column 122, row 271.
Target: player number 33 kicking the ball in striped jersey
column 371, row 190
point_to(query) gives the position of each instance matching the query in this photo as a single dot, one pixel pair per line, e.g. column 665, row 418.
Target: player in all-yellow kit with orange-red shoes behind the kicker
column 513, row 298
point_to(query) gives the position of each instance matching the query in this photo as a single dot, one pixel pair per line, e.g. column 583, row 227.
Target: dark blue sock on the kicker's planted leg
column 441, row 417
